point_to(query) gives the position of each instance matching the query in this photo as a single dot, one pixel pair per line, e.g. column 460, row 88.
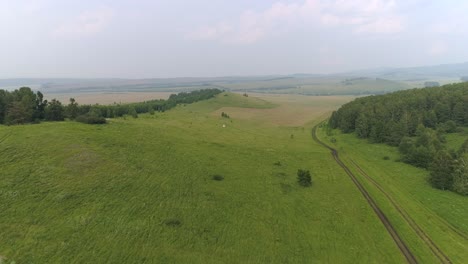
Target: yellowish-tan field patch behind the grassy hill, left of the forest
column 293, row 110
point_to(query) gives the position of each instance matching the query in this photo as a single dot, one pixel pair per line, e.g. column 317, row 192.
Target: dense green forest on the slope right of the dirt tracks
column 415, row 121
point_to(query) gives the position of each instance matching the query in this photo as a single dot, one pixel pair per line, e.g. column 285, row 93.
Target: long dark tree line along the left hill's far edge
column 25, row 106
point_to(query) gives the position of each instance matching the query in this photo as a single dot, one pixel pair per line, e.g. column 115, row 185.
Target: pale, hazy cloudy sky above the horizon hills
column 174, row 38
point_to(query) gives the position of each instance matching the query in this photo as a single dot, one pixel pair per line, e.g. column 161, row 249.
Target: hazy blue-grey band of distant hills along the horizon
column 370, row 81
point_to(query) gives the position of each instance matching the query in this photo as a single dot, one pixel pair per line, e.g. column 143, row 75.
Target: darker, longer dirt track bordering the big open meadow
column 391, row 230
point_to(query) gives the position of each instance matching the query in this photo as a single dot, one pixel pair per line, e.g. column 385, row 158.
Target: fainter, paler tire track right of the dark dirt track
column 427, row 240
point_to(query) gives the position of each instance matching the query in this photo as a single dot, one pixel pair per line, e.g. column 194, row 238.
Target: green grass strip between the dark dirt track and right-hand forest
column 434, row 210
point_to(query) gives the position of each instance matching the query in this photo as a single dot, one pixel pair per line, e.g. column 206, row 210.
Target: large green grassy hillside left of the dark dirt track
column 74, row 193
